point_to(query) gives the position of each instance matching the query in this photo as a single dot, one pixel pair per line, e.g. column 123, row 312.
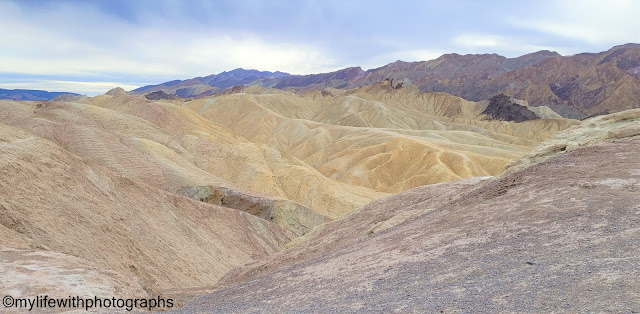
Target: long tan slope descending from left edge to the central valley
column 171, row 147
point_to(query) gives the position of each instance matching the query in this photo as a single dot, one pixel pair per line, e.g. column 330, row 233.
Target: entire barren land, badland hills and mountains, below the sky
column 467, row 183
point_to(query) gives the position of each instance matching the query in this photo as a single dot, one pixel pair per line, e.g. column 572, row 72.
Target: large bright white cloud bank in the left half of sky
column 82, row 42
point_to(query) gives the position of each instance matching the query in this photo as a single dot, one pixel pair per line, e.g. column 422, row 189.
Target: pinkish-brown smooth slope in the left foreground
column 53, row 200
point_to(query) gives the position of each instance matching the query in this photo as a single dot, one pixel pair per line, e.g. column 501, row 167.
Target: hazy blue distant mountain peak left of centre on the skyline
column 200, row 86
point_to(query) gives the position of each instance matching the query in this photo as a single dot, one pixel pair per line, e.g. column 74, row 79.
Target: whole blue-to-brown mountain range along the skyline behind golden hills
column 575, row 86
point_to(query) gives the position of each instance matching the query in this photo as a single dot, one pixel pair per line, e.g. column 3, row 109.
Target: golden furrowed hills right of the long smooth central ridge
column 376, row 137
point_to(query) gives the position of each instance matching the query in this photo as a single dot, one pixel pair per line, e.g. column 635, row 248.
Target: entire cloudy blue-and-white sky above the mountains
column 89, row 47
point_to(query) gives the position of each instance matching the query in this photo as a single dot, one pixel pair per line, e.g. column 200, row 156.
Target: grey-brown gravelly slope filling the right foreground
column 561, row 234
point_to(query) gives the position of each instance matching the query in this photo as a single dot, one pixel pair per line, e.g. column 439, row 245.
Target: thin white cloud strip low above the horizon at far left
column 87, row 88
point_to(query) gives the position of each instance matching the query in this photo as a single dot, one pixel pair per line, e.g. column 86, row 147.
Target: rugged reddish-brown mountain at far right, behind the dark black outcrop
column 576, row 86
